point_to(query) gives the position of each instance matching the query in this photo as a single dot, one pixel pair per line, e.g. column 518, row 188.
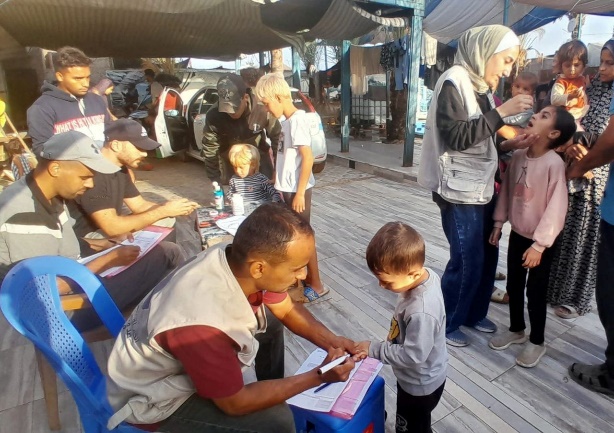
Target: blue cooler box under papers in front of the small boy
column 369, row 417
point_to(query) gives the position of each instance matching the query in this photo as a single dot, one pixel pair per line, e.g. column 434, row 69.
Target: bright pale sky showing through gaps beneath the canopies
column 596, row 29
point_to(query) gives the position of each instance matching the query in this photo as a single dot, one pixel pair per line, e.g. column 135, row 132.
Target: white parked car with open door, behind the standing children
column 179, row 130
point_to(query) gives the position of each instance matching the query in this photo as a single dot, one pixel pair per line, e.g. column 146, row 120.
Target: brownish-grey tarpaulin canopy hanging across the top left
column 188, row 28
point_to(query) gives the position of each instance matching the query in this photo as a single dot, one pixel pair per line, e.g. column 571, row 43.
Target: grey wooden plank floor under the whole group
column 485, row 391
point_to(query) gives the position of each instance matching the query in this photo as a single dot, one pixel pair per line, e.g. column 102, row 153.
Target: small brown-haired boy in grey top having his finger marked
column 416, row 343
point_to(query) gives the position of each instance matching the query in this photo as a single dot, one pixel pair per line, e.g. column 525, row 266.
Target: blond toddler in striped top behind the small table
column 247, row 180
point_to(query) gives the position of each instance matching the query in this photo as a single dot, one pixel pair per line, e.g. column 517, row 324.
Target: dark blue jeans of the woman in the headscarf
column 469, row 277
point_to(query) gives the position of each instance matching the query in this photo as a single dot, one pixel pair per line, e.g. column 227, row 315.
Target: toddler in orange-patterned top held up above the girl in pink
column 568, row 90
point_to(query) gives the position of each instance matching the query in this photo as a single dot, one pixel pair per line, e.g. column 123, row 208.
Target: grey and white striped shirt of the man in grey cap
column 31, row 226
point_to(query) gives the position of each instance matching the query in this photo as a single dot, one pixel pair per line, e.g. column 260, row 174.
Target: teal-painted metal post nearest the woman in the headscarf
column 414, row 49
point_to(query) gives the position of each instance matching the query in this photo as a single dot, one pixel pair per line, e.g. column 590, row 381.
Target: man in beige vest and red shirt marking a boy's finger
column 177, row 364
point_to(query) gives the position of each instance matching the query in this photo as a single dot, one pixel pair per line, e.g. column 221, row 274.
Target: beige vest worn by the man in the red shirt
column 146, row 384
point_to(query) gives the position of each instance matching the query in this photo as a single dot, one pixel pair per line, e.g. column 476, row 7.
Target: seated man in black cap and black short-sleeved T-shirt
column 125, row 146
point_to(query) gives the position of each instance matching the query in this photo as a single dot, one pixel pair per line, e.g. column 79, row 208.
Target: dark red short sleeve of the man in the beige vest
column 208, row 356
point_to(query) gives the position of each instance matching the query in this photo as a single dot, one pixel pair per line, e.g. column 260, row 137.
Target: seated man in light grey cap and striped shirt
column 34, row 222
